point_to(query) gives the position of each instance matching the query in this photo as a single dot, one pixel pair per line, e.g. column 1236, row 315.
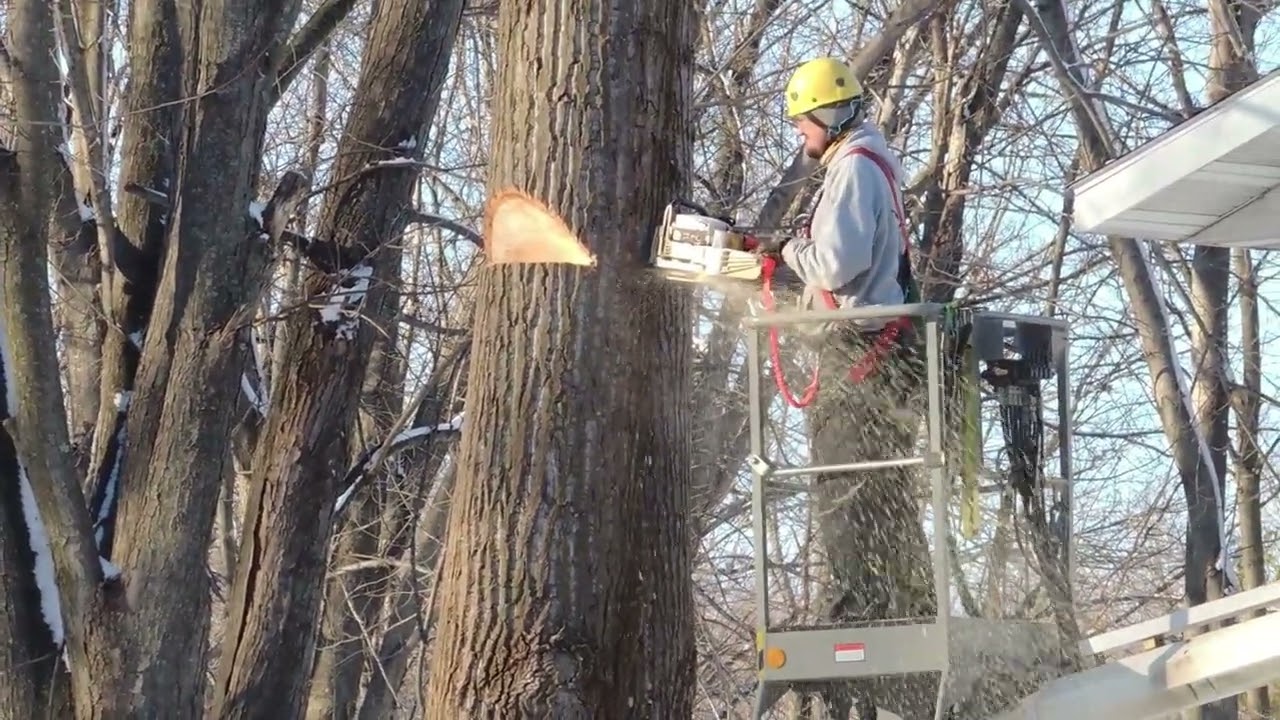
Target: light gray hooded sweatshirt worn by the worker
column 854, row 245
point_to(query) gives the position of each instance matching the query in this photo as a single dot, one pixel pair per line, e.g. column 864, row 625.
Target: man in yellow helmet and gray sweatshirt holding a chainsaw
column 856, row 253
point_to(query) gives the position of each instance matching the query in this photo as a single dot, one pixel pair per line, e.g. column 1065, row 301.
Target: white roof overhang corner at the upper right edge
column 1214, row 180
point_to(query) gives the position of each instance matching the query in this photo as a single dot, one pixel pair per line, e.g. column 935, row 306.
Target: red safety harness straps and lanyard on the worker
column 885, row 339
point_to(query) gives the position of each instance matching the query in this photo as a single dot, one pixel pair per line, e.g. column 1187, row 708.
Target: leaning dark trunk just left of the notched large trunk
column 272, row 627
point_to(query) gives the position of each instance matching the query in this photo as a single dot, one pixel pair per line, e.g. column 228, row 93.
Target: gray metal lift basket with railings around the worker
column 962, row 650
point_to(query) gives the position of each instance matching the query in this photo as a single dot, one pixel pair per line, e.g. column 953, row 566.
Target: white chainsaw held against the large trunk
column 694, row 247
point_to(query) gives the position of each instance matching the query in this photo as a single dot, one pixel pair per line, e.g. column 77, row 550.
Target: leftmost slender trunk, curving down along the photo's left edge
column 29, row 177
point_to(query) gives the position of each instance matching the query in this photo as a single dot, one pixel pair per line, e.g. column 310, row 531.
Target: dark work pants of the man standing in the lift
column 870, row 522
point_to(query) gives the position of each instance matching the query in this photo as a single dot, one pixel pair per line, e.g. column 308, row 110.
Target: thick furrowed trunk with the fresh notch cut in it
column 566, row 586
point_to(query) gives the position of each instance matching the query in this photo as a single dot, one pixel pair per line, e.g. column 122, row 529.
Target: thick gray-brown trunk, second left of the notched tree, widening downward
column 189, row 376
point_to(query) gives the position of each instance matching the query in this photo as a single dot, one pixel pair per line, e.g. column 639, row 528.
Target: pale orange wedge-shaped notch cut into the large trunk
column 522, row 230
